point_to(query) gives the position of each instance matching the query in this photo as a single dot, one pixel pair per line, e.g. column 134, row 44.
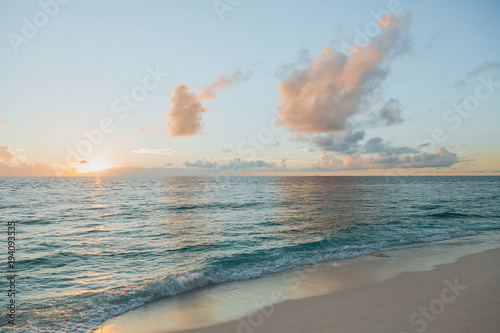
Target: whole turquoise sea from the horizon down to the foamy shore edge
column 92, row 248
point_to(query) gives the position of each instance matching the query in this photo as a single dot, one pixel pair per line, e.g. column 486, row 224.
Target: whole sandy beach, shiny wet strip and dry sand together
column 383, row 292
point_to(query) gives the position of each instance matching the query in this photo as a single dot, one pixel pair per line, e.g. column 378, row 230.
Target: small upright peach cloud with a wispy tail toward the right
column 186, row 108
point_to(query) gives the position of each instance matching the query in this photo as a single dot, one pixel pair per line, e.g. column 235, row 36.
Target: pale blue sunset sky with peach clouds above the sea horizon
column 249, row 87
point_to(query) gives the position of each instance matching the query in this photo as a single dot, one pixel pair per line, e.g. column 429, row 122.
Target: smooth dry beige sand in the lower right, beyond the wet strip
column 456, row 297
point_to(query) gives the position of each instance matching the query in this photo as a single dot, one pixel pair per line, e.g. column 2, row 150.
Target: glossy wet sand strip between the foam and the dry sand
column 211, row 309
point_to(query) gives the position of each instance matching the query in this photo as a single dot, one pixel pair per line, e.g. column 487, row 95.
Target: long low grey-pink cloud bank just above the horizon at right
column 440, row 159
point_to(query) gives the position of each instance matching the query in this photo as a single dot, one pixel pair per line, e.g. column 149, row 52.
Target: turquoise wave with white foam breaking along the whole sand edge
column 237, row 267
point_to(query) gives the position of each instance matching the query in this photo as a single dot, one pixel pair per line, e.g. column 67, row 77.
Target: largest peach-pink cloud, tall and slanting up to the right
column 334, row 87
